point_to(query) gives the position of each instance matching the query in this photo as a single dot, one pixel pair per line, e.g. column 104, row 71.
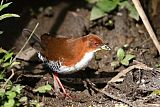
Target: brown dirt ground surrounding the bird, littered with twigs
column 71, row 18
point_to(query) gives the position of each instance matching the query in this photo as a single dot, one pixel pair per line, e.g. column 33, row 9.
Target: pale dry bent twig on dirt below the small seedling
column 139, row 65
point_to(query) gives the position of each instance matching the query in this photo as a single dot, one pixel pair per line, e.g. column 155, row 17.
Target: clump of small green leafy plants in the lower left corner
column 10, row 94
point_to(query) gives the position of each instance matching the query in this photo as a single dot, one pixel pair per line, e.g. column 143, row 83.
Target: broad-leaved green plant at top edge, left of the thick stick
column 104, row 7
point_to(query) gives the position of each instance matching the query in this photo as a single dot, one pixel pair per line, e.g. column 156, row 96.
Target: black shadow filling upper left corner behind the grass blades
column 12, row 27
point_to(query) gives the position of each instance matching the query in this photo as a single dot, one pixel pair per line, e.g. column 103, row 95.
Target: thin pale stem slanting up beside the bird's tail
column 26, row 42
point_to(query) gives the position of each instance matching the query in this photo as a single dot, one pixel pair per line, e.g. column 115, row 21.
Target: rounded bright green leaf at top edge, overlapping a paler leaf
column 107, row 5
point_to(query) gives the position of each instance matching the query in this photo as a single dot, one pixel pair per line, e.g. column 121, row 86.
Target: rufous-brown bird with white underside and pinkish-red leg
column 68, row 55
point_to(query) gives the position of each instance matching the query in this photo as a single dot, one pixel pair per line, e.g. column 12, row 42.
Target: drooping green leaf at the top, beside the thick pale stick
column 133, row 12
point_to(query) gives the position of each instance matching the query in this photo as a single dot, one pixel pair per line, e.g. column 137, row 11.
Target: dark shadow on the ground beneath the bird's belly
column 75, row 80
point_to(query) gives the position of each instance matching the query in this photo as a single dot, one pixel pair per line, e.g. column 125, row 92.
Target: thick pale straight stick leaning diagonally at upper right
column 146, row 23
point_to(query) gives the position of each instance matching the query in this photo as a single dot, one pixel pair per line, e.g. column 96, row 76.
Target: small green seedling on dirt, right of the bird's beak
column 123, row 58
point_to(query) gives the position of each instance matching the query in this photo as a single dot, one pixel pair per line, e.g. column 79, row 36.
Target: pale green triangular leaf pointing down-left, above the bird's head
column 96, row 13
